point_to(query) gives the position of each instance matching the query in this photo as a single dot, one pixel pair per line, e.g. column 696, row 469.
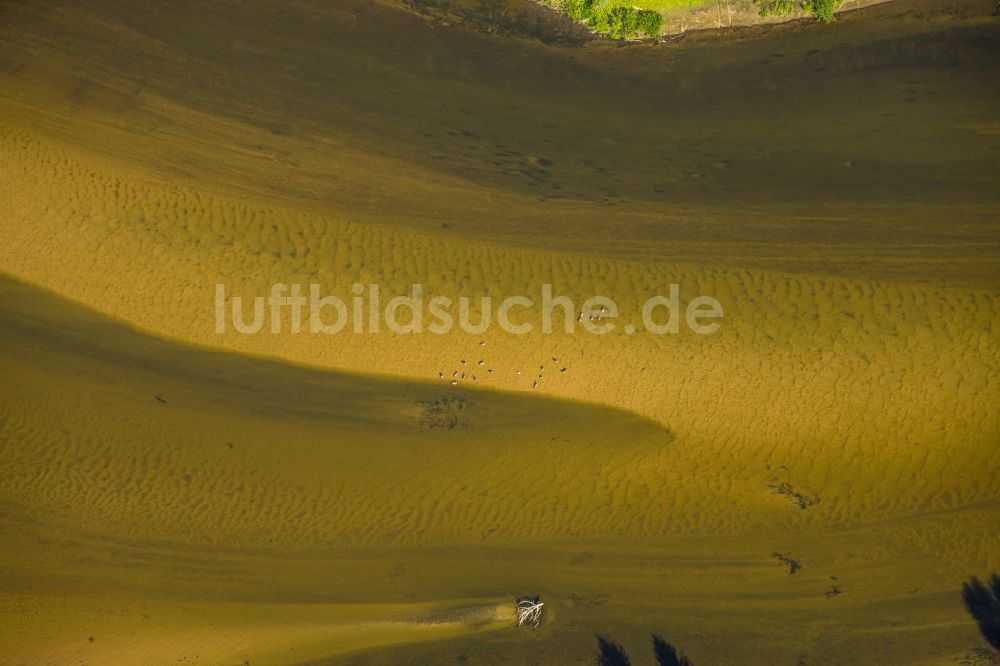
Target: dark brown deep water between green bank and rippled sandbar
column 867, row 148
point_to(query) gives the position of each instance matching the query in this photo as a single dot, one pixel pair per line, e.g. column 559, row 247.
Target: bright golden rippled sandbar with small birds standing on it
column 877, row 398
